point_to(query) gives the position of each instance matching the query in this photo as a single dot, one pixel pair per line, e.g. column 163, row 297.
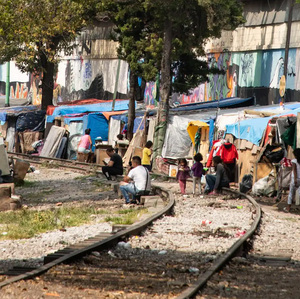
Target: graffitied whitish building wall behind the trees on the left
column 89, row 72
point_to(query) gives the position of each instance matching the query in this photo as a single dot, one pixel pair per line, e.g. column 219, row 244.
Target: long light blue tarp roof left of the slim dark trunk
column 100, row 107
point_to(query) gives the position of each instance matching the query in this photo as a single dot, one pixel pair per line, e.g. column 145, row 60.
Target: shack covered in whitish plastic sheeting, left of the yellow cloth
column 177, row 142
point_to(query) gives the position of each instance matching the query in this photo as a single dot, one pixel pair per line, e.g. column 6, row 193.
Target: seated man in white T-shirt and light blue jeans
column 137, row 180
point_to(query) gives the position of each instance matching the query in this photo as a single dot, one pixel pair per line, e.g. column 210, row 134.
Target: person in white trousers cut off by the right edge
column 295, row 179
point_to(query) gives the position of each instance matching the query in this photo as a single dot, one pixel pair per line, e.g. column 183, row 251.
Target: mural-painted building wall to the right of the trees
column 252, row 57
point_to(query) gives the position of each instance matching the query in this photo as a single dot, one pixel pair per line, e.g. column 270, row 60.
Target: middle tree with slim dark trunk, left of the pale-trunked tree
column 132, row 32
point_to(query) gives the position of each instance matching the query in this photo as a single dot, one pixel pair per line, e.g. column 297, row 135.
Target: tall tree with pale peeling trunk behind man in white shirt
column 184, row 26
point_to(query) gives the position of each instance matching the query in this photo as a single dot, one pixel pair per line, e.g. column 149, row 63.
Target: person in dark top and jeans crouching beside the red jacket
column 214, row 183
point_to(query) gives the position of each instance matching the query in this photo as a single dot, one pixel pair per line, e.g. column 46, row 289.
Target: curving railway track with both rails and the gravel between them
column 196, row 276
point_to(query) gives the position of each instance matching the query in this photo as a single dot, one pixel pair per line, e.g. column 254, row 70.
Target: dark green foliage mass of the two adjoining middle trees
column 141, row 26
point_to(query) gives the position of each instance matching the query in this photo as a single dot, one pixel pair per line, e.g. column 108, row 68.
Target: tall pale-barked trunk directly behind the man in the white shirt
column 165, row 87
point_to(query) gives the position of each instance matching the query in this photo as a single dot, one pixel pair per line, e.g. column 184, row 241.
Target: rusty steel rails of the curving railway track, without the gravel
column 105, row 241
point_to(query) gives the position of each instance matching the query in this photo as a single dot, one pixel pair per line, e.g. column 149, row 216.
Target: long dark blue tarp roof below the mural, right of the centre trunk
column 223, row 103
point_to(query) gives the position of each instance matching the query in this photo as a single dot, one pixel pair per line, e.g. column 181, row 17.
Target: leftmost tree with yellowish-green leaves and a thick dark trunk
column 35, row 32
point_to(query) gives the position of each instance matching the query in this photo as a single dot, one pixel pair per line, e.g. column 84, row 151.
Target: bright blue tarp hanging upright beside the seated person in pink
column 98, row 125
